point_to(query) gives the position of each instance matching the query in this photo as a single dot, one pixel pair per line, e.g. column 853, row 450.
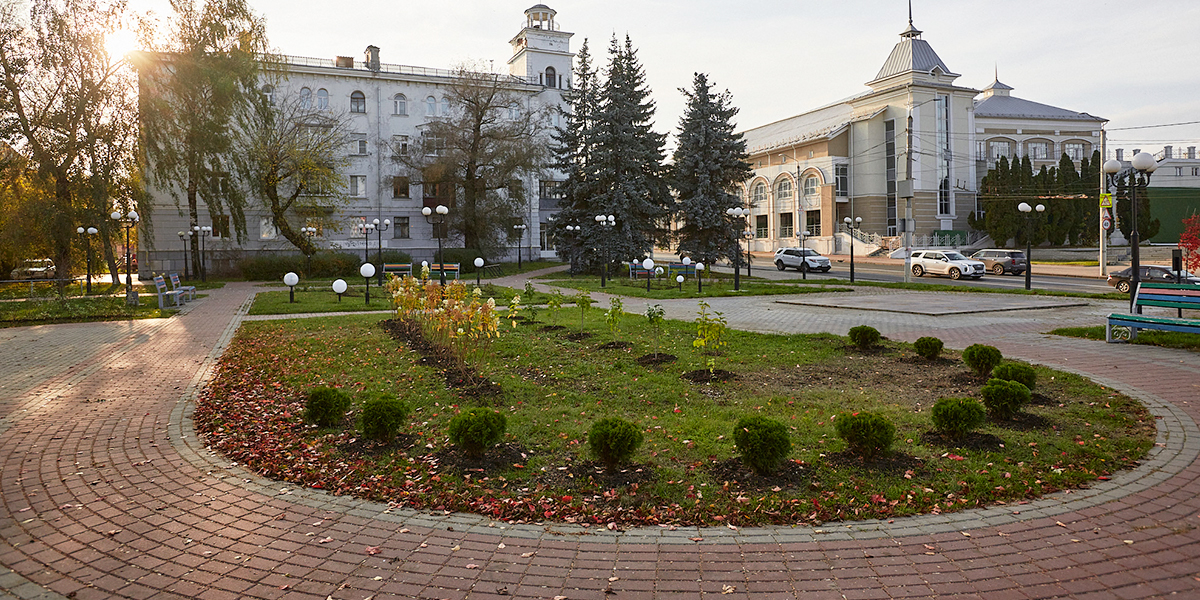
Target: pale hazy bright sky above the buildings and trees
column 1132, row 63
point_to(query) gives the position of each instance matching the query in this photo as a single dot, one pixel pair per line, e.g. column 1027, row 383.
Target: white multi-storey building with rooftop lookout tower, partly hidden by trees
column 387, row 109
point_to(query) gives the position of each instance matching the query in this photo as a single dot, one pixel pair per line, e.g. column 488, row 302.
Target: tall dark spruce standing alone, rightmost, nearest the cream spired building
column 710, row 160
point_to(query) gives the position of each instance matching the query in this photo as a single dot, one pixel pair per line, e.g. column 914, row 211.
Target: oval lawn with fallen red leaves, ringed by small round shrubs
column 551, row 383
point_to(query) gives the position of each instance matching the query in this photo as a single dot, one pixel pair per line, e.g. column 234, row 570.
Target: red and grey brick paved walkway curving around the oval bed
column 105, row 493
